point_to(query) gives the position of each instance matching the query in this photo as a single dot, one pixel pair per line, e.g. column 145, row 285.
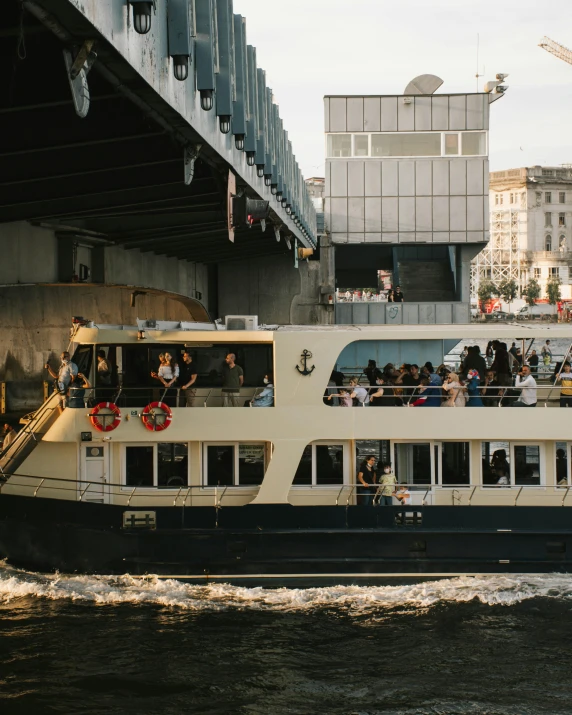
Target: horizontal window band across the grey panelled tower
column 403, row 144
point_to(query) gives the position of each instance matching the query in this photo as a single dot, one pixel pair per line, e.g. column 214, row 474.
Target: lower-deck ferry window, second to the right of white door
column 237, row 464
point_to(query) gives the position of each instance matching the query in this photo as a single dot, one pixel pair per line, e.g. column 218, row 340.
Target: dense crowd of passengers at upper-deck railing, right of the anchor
column 501, row 378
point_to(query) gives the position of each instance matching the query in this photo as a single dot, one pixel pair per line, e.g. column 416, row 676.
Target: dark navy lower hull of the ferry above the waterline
column 284, row 545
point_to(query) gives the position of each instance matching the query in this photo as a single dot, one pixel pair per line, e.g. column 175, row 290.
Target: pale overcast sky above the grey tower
column 310, row 48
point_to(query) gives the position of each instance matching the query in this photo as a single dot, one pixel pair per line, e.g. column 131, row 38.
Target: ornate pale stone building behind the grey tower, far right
column 530, row 229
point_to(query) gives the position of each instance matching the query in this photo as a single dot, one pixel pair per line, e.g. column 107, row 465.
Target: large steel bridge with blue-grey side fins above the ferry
column 127, row 128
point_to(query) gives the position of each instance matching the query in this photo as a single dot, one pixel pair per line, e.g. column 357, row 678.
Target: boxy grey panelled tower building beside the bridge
column 406, row 193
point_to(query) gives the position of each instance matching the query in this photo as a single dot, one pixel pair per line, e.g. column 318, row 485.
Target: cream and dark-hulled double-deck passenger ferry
column 133, row 482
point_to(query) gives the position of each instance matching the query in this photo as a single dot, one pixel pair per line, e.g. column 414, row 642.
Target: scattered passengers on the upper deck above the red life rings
column 74, row 386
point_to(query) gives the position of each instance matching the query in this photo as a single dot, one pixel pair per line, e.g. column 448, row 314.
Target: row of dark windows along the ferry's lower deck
column 503, row 463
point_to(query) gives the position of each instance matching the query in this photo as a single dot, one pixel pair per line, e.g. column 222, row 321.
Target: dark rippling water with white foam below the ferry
column 492, row 645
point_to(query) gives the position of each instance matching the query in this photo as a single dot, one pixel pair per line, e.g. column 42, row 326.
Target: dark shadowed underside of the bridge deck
column 115, row 175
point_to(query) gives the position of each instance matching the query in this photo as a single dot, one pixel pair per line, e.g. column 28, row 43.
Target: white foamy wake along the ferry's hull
column 500, row 589
